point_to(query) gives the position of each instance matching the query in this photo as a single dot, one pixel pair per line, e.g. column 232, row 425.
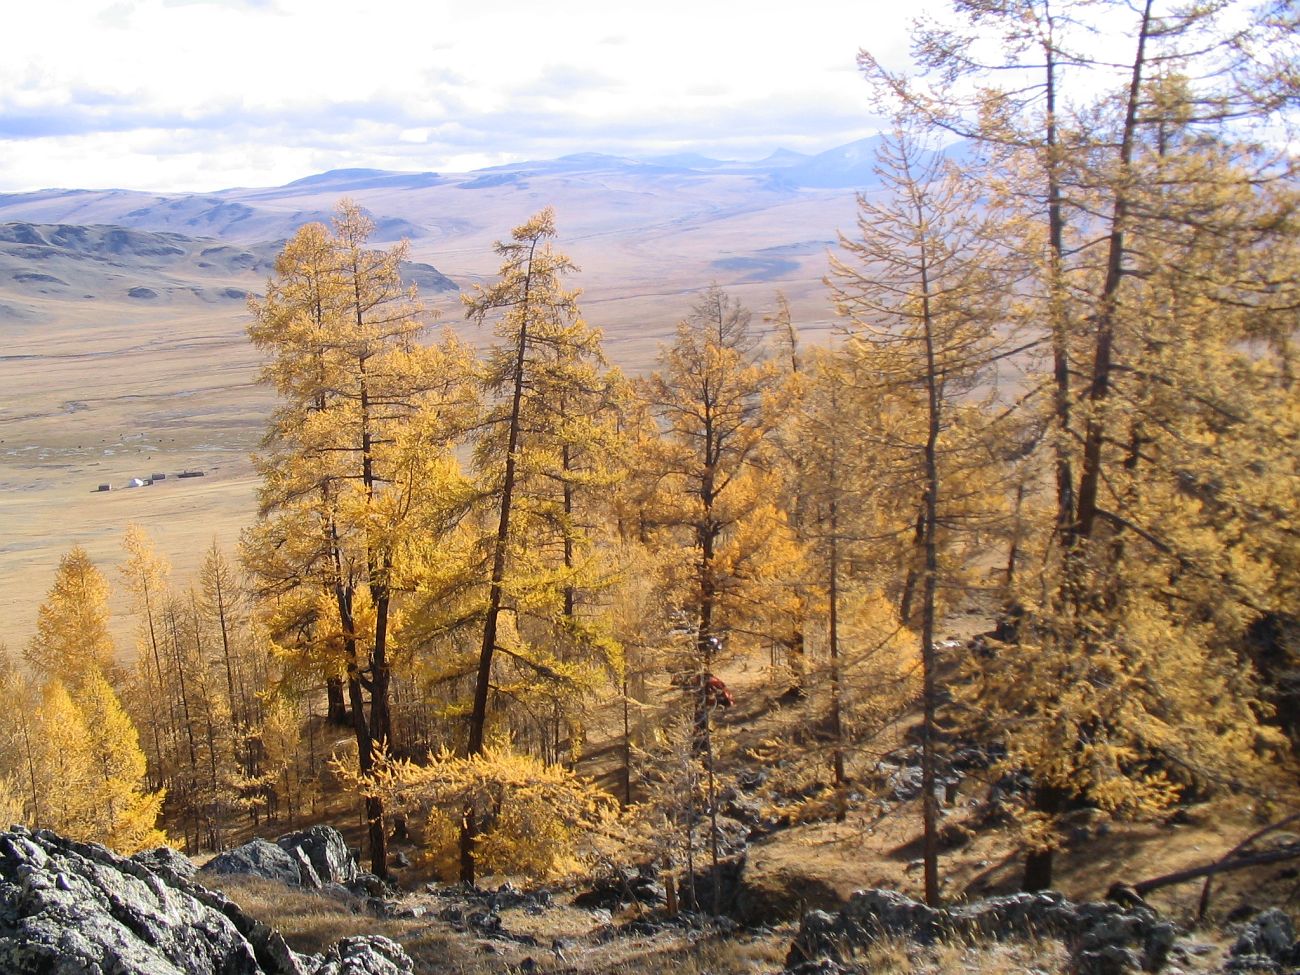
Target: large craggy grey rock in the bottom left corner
column 79, row 908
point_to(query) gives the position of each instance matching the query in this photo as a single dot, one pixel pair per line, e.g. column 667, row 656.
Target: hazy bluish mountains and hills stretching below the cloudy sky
column 643, row 226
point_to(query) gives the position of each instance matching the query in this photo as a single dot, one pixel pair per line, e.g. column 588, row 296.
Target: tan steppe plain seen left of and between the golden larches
column 111, row 389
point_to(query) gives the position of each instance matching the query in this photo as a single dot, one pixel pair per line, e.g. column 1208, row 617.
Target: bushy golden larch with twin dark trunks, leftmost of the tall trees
column 354, row 462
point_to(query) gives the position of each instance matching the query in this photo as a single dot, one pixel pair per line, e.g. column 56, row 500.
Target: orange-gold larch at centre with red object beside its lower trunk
column 714, row 402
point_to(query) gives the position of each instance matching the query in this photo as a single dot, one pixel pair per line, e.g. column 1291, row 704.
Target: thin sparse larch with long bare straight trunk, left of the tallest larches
column 922, row 291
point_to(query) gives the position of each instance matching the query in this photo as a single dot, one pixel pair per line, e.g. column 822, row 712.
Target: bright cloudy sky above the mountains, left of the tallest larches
column 198, row 96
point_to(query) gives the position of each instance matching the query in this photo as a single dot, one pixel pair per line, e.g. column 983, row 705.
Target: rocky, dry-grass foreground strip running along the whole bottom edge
column 79, row 908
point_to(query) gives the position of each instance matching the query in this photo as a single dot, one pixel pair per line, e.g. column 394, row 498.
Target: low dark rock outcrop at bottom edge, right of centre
column 1104, row 938
